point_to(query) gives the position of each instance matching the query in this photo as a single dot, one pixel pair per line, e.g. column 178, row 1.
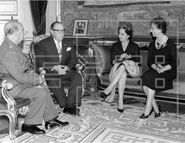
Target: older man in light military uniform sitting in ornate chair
column 26, row 83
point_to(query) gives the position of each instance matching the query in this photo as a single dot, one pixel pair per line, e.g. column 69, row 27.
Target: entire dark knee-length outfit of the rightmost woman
column 167, row 54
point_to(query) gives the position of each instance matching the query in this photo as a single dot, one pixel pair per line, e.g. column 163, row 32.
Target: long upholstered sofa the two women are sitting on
column 101, row 48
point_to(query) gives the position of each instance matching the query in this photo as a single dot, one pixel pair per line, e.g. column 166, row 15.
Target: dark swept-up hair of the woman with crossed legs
column 127, row 26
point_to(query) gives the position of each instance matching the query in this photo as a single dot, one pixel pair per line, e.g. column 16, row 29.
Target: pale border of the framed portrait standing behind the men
column 84, row 29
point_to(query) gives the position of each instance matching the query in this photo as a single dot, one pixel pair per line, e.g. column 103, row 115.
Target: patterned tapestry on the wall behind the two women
column 103, row 20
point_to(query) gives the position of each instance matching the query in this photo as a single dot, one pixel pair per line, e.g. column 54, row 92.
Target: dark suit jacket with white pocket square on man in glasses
column 47, row 55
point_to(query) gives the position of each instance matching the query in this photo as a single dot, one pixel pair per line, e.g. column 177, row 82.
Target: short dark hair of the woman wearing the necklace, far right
column 160, row 23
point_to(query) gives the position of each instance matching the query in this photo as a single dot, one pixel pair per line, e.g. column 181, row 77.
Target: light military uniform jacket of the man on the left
column 15, row 67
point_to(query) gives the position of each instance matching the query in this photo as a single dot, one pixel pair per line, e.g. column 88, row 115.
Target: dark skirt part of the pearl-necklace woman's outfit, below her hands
column 156, row 81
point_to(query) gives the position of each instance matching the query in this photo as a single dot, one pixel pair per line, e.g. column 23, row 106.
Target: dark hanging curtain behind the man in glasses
column 38, row 11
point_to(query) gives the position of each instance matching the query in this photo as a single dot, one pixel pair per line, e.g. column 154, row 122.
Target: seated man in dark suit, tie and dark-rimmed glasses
column 58, row 57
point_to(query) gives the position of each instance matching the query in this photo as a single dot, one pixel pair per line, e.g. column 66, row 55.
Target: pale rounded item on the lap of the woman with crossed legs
column 132, row 68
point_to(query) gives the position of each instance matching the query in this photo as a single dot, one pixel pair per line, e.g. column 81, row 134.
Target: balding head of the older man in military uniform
column 14, row 31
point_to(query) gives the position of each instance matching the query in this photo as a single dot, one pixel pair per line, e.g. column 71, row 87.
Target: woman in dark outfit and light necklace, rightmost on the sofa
column 162, row 61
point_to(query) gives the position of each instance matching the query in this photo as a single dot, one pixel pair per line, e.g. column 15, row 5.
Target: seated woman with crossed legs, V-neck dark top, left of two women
column 124, row 55
